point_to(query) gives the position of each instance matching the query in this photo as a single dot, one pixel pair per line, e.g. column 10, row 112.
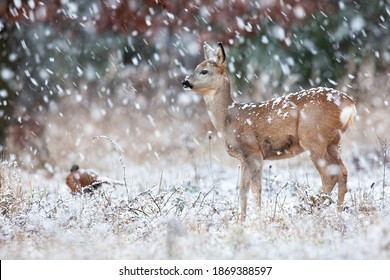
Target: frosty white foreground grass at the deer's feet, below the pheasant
column 189, row 221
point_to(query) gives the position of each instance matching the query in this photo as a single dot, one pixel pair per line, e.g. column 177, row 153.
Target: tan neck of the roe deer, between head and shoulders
column 218, row 102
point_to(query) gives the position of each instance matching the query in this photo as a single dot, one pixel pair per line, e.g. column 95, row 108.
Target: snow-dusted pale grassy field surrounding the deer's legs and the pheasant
column 179, row 198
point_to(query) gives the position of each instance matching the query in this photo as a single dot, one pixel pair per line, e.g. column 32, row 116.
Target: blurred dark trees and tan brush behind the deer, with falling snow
column 63, row 60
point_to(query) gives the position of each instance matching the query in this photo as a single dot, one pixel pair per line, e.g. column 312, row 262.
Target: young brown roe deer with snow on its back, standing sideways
column 310, row 120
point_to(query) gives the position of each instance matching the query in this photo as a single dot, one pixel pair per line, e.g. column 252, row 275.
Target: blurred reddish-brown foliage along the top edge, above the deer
column 148, row 18
